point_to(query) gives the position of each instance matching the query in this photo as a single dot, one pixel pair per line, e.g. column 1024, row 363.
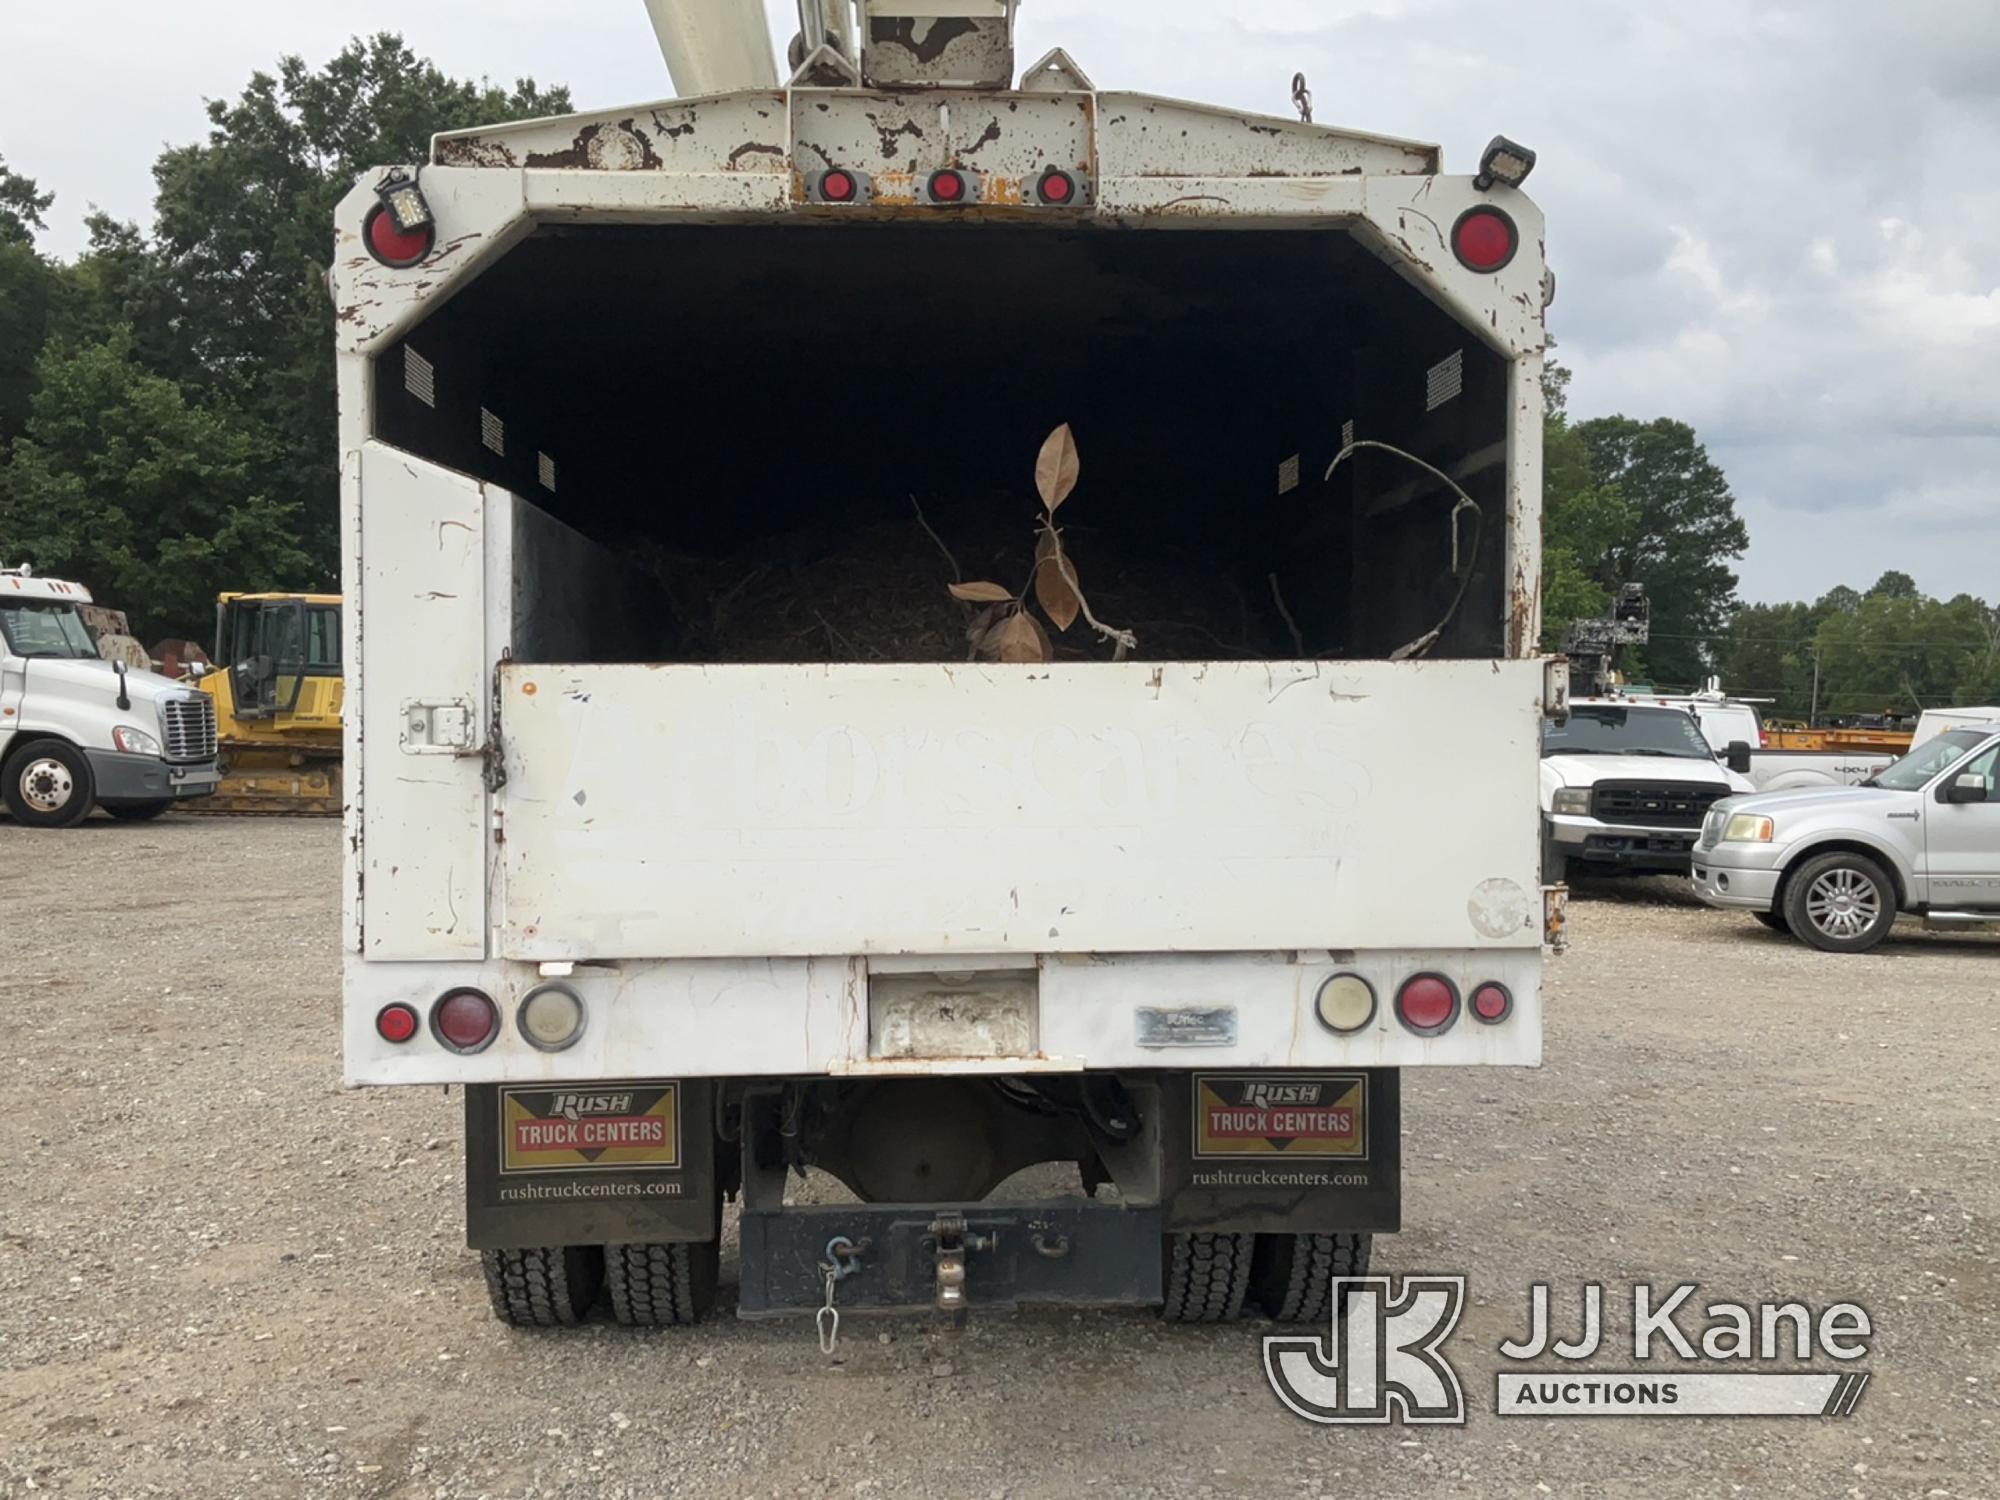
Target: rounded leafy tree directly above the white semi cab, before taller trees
column 151, row 499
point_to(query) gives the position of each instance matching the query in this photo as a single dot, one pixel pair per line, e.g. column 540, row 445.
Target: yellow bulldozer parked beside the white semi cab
column 277, row 687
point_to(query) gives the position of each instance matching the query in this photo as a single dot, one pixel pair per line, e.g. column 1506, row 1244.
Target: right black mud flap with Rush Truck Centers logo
column 1283, row 1153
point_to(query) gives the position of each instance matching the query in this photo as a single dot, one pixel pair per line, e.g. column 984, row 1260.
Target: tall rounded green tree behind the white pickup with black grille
column 1683, row 537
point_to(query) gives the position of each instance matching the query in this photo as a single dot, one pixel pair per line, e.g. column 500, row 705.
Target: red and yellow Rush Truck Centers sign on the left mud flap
column 591, row 1131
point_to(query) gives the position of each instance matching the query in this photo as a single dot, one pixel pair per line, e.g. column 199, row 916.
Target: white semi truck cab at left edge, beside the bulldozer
column 79, row 733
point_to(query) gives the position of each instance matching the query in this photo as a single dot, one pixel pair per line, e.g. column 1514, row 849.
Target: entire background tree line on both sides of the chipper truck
column 169, row 421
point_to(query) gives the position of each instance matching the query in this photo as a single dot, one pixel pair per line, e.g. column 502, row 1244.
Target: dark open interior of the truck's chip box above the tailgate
column 799, row 433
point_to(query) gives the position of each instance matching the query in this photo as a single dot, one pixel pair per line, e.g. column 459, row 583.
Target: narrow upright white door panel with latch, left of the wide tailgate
column 423, row 641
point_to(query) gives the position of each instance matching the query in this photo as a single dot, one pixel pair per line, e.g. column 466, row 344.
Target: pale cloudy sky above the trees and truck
column 1777, row 221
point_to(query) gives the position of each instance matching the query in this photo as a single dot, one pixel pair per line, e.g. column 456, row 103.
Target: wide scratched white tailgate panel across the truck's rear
column 743, row 811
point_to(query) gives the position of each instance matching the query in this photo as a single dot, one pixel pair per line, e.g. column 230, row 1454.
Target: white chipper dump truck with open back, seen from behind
column 689, row 923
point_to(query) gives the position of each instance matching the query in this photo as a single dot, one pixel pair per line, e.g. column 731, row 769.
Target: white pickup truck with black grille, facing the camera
column 1627, row 785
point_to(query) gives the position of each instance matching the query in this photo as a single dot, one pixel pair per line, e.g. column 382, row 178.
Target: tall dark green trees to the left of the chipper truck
column 167, row 399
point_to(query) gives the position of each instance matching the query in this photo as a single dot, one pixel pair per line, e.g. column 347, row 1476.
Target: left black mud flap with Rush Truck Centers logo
column 603, row 1163
